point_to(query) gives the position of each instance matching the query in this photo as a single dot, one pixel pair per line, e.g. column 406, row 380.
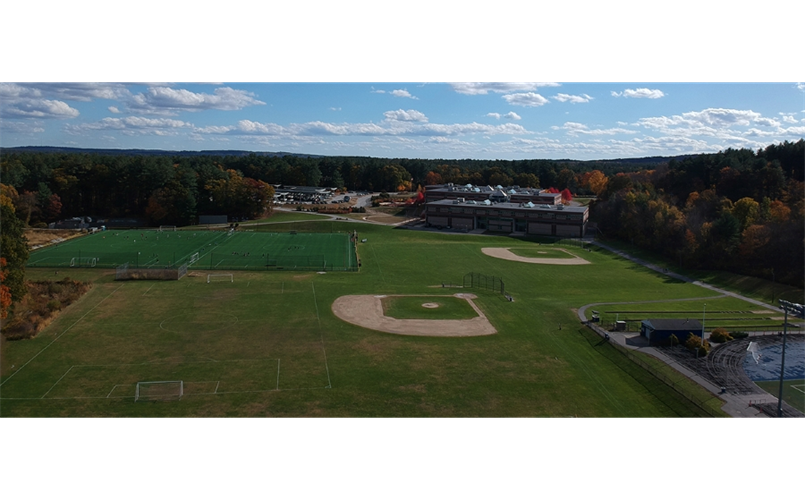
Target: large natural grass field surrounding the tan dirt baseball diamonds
column 269, row 345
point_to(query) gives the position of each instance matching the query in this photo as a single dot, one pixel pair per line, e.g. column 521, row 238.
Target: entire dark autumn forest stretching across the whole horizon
column 739, row 210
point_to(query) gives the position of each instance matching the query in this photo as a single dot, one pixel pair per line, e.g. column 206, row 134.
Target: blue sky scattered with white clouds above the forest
column 481, row 120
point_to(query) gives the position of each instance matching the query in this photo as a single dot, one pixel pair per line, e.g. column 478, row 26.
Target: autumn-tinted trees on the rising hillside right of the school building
column 735, row 210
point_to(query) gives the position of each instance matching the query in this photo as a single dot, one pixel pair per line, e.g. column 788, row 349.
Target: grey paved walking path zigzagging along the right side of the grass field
column 735, row 405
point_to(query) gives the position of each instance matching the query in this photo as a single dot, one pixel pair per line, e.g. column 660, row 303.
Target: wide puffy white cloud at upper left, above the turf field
column 166, row 100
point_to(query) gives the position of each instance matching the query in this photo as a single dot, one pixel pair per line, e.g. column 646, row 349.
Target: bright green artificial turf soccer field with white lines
column 211, row 250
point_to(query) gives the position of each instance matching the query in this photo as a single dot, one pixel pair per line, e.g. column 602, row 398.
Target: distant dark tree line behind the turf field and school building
column 175, row 189
